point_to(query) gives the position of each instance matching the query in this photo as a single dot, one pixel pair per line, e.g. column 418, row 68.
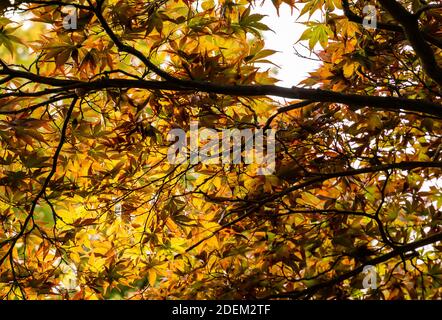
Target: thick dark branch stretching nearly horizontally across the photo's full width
column 313, row 95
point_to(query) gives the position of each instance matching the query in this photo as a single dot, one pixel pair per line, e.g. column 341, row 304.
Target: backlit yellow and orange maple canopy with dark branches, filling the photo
column 91, row 208
